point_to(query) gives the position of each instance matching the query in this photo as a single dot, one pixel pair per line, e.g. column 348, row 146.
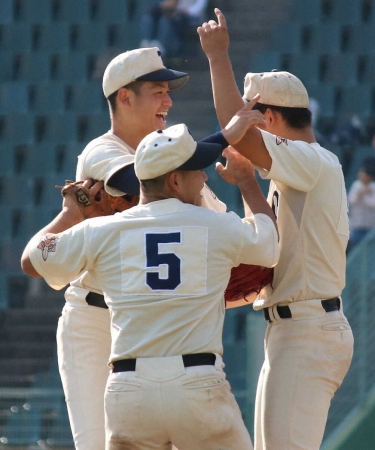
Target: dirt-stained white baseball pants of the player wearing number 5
column 162, row 402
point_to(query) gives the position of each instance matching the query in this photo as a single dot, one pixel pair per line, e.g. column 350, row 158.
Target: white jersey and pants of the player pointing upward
column 307, row 356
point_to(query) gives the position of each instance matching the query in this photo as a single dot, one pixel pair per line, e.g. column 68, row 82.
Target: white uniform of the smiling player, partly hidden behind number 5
column 83, row 334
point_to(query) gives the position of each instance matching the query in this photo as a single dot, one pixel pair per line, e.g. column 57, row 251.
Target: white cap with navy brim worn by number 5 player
column 174, row 148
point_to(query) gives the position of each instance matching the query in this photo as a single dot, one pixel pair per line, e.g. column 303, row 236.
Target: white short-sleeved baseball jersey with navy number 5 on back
column 163, row 268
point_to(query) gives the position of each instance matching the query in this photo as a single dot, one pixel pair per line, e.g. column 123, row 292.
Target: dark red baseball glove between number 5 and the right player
column 245, row 283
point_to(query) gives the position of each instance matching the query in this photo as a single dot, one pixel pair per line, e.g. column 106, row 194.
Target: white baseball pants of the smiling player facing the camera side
column 83, row 349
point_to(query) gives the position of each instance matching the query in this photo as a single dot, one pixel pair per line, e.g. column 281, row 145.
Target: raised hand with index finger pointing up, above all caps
column 214, row 36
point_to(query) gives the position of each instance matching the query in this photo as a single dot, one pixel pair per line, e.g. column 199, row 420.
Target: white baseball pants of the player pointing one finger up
column 306, row 360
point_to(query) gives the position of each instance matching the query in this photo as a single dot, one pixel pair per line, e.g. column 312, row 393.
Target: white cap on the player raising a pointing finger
column 277, row 89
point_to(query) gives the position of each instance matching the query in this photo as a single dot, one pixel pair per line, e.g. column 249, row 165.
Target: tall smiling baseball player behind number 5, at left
column 136, row 84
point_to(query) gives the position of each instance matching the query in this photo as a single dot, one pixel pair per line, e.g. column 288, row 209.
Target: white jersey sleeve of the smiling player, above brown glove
column 100, row 160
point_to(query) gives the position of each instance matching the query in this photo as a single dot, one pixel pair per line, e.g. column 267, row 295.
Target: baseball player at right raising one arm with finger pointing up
column 309, row 342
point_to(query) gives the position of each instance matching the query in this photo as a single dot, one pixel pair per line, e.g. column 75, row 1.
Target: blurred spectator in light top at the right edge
column 361, row 199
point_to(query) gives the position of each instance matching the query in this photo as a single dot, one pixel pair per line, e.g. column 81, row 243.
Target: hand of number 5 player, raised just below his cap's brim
column 237, row 167
